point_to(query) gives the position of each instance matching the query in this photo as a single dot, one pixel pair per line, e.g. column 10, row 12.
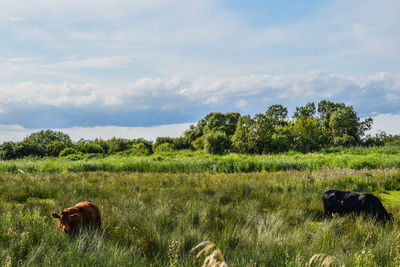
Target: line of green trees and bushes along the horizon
column 311, row 128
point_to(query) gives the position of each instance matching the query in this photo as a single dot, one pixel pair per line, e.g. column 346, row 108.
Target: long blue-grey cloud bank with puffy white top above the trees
column 181, row 99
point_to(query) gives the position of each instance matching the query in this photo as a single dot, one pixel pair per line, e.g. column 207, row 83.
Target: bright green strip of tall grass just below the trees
column 199, row 162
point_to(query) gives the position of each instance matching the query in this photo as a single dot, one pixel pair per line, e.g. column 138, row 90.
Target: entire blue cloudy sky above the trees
column 133, row 68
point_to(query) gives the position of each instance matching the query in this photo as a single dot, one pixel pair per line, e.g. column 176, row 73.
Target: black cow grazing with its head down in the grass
column 344, row 202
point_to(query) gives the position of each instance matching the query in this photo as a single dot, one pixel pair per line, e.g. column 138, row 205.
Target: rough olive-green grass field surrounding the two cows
column 267, row 218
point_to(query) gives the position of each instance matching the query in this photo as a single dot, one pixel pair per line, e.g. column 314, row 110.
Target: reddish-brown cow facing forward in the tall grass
column 81, row 215
